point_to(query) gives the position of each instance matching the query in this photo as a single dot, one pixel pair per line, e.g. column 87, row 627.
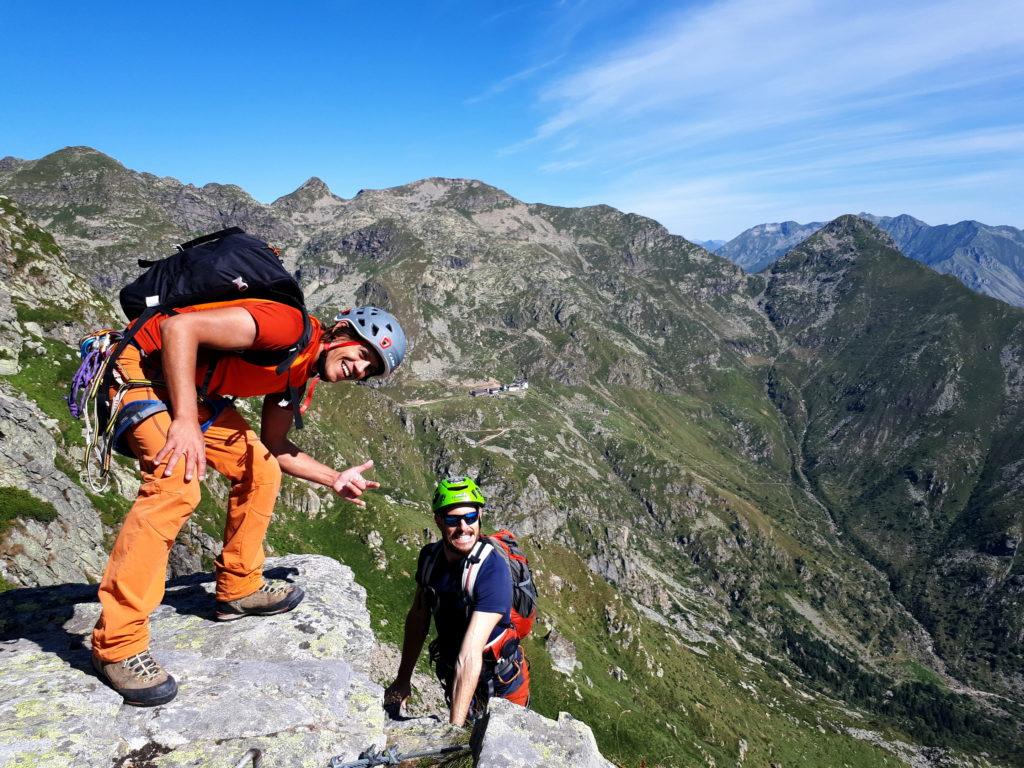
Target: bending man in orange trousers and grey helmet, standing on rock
column 173, row 360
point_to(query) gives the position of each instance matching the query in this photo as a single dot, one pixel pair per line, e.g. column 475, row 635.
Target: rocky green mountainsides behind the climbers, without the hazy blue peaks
column 775, row 518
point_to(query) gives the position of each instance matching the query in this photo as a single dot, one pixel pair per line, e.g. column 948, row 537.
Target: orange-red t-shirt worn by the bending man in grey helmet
column 278, row 327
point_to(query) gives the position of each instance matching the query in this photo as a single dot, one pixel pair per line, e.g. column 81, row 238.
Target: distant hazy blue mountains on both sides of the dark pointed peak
column 988, row 260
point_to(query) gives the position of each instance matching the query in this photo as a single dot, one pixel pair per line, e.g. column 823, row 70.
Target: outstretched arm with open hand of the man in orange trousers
column 275, row 424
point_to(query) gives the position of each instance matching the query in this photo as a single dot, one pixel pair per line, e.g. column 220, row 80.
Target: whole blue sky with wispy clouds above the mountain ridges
column 710, row 117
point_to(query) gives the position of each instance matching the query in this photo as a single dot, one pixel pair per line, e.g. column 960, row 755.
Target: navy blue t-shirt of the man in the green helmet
column 493, row 595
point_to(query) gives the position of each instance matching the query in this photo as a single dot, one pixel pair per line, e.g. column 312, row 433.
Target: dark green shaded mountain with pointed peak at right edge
column 911, row 432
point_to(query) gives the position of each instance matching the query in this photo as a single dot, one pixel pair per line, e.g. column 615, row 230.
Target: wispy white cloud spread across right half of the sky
column 764, row 109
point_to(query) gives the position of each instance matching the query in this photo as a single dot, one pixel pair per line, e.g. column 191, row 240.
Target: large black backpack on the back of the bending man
column 222, row 267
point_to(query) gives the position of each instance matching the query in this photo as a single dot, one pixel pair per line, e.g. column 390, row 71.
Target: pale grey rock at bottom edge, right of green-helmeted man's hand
column 517, row 738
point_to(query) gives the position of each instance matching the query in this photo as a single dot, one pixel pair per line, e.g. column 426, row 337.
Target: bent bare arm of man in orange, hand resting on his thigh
column 183, row 335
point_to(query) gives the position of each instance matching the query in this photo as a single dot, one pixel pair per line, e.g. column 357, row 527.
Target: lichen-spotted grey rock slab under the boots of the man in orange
column 293, row 686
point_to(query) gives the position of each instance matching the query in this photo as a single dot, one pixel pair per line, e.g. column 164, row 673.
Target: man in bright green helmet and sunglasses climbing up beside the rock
column 466, row 585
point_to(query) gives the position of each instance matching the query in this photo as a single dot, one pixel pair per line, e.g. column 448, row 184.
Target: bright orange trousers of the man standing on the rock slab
column 134, row 581
